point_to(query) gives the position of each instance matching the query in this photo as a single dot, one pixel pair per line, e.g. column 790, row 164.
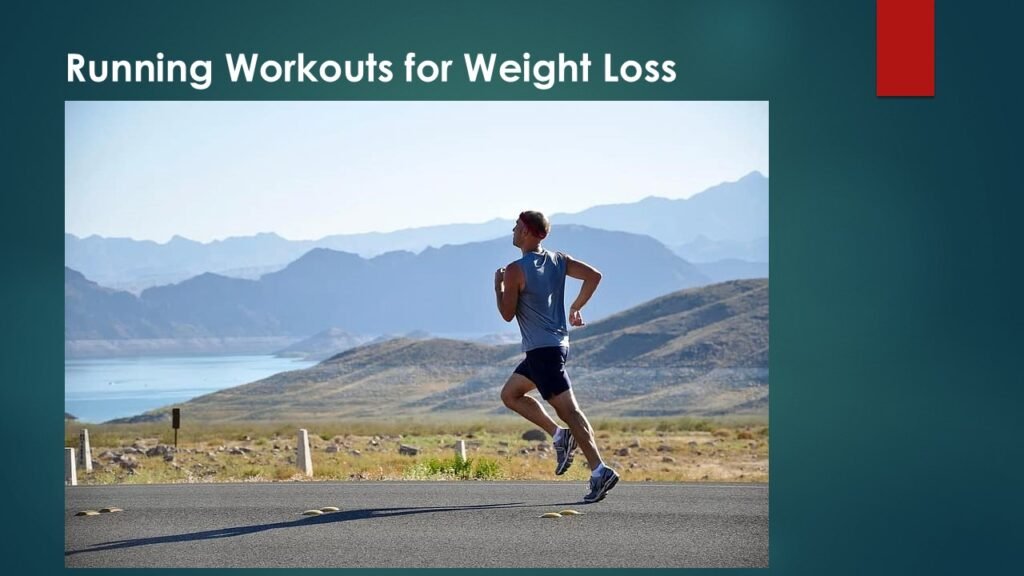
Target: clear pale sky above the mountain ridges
column 209, row 171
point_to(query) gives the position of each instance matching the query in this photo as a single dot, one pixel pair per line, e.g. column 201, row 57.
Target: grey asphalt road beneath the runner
column 417, row 524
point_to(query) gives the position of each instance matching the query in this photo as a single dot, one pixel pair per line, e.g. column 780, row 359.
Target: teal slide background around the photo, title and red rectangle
column 895, row 262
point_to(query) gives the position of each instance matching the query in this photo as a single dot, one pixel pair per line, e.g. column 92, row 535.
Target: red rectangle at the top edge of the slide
column 906, row 48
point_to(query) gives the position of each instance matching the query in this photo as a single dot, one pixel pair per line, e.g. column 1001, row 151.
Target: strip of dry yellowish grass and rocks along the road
column 644, row 450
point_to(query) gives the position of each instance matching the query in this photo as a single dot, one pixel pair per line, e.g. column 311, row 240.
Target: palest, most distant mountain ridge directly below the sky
column 727, row 222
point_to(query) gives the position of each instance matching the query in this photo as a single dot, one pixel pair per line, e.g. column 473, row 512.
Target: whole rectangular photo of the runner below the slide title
column 416, row 335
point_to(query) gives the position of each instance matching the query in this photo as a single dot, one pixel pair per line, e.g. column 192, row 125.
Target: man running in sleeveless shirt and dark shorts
column 532, row 291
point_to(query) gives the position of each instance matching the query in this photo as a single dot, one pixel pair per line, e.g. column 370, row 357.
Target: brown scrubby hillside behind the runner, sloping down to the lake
column 696, row 352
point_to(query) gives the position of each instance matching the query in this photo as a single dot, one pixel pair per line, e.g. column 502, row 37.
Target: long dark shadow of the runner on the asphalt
column 330, row 518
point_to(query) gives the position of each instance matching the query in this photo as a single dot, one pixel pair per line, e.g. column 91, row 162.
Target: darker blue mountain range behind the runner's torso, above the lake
column 441, row 291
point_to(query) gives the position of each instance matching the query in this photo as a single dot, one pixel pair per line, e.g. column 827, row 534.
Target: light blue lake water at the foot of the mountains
column 100, row 390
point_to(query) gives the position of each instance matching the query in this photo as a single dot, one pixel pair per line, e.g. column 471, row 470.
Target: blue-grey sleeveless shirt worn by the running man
column 541, row 312
